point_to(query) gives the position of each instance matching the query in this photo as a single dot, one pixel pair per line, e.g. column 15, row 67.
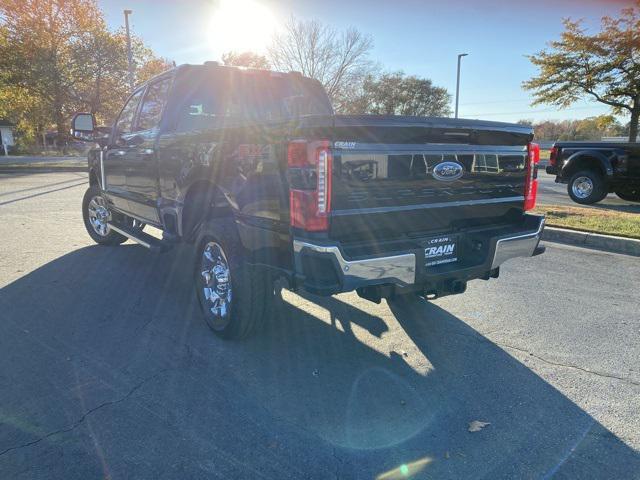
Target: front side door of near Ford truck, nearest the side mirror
column 117, row 153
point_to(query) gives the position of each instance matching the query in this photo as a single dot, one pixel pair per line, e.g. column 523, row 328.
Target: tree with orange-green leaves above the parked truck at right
column 604, row 66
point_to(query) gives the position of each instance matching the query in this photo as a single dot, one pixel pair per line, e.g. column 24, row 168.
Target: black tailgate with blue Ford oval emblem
column 424, row 177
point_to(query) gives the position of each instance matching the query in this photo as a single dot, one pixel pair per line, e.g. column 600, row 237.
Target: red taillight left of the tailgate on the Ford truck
column 310, row 184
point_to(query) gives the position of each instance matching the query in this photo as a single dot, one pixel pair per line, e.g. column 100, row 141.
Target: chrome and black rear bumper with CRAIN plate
column 327, row 268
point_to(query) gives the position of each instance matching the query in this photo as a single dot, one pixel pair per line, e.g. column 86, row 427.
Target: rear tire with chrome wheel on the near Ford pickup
column 233, row 295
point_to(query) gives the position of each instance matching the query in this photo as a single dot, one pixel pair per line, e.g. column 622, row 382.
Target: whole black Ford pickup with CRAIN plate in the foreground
column 270, row 187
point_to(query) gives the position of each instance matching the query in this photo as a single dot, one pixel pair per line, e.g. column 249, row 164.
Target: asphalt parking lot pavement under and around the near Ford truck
column 107, row 370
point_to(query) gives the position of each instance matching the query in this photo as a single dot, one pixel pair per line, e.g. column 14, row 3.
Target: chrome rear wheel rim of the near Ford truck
column 216, row 278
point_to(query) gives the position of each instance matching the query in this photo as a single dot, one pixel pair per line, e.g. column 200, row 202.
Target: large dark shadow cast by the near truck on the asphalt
column 107, row 371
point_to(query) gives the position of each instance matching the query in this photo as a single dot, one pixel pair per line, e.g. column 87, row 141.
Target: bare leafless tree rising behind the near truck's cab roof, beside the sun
column 339, row 60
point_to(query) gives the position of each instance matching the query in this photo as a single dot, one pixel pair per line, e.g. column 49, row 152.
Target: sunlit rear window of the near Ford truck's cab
column 208, row 95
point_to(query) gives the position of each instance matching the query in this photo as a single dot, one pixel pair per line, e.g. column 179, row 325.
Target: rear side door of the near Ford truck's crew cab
column 142, row 166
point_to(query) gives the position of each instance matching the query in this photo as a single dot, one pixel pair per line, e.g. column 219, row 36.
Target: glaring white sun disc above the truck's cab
column 240, row 25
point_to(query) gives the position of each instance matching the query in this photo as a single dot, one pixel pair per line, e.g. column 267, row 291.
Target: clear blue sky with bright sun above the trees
column 421, row 38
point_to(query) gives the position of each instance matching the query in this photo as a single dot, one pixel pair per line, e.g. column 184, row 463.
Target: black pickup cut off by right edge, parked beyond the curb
column 591, row 170
